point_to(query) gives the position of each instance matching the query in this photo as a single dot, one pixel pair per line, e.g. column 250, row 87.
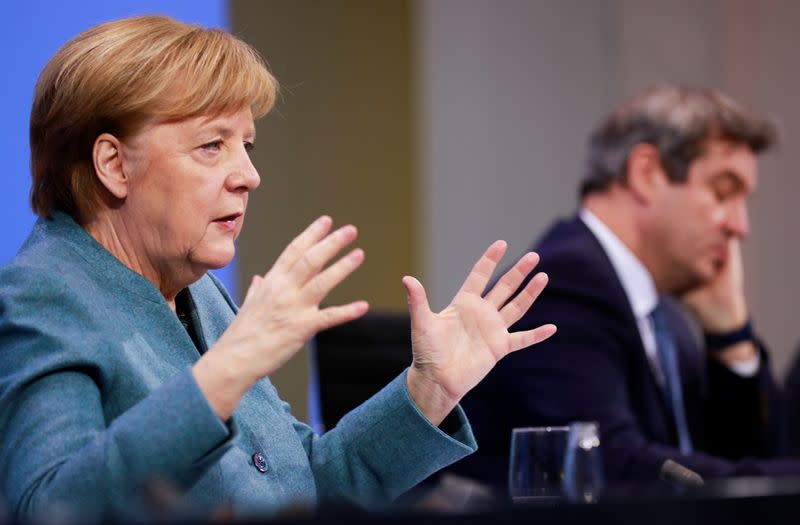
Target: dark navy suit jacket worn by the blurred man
column 595, row 369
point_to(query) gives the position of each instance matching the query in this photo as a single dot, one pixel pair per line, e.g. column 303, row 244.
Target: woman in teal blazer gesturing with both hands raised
column 126, row 364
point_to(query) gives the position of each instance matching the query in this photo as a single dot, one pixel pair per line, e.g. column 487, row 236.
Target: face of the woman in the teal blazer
column 188, row 186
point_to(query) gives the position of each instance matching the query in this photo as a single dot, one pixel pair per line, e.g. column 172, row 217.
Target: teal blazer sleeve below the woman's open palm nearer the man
column 382, row 448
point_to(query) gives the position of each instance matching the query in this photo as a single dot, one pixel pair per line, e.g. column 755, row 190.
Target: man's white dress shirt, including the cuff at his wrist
column 641, row 293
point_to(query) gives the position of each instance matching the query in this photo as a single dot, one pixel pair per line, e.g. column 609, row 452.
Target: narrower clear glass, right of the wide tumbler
column 583, row 465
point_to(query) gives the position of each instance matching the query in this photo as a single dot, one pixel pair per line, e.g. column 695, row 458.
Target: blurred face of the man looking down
column 696, row 220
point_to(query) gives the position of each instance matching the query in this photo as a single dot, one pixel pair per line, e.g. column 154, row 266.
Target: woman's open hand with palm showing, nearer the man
column 455, row 348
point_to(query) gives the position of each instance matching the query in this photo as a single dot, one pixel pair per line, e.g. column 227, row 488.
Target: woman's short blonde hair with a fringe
column 114, row 77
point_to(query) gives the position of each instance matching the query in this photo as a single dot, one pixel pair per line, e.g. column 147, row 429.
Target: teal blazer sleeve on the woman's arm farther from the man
column 59, row 451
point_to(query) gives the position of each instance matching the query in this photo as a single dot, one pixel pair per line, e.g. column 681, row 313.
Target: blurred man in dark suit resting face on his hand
column 663, row 207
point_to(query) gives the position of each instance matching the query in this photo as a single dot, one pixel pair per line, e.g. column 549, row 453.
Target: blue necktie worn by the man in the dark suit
column 672, row 377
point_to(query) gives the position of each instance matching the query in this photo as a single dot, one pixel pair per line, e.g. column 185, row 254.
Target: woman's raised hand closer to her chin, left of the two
column 280, row 312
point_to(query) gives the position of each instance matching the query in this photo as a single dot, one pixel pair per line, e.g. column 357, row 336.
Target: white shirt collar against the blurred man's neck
column 636, row 280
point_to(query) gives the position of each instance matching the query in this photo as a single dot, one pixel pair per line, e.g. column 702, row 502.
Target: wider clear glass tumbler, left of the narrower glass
column 536, row 465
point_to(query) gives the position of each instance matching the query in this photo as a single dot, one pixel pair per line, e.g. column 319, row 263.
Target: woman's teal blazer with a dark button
column 98, row 403
